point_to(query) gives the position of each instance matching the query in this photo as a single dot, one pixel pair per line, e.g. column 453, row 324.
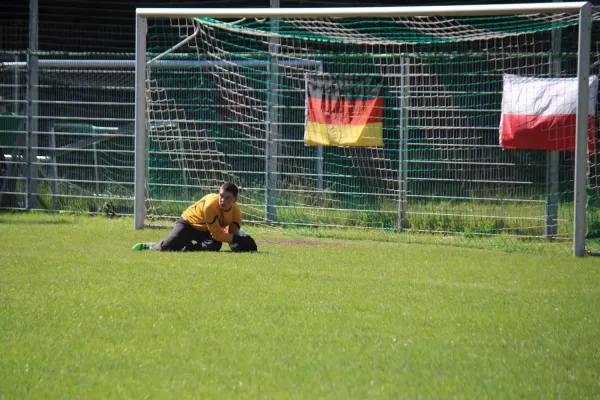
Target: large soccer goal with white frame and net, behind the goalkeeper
column 461, row 122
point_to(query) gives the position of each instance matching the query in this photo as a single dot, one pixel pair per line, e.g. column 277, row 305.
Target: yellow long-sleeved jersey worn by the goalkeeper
column 206, row 215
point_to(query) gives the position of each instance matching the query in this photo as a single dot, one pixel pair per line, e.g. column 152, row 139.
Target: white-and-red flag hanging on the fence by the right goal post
column 540, row 113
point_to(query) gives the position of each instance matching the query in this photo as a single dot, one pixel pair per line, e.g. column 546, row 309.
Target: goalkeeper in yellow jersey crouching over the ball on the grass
column 202, row 226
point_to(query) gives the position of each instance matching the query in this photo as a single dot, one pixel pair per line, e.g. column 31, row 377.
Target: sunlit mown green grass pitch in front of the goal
column 82, row 316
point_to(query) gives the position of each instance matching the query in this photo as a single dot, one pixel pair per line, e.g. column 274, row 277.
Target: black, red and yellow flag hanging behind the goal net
column 344, row 111
